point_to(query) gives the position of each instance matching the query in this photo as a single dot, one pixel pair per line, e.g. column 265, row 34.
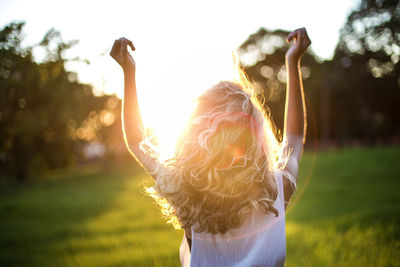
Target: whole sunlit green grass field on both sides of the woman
column 346, row 213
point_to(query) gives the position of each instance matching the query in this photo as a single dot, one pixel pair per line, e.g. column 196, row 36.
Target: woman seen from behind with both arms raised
column 230, row 180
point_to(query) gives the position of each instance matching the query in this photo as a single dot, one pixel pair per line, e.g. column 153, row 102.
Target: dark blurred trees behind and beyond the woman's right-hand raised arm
column 353, row 97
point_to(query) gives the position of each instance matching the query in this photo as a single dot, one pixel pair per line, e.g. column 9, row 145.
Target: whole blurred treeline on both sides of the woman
column 49, row 120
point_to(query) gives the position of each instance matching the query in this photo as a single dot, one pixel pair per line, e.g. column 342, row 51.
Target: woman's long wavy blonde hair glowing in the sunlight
column 224, row 163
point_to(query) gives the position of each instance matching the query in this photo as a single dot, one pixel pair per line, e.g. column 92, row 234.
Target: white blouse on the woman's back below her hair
column 259, row 241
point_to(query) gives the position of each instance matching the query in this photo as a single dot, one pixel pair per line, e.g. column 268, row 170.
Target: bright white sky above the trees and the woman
column 182, row 47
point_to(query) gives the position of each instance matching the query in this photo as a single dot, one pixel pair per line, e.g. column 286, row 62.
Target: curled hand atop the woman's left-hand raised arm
column 120, row 53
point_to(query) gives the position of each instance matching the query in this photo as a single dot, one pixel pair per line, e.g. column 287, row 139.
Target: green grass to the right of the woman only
column 349, row 212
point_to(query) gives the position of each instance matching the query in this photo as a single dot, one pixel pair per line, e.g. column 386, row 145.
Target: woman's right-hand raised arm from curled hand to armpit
column 295, row 108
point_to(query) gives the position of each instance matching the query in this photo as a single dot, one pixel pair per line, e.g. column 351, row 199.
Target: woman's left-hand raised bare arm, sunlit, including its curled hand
column 132, row 125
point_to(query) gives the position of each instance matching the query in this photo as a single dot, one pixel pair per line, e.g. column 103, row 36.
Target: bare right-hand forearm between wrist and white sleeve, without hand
column 295, row 110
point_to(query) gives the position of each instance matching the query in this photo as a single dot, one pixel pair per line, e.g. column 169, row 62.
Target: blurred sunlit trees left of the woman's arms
column 47, row 117
